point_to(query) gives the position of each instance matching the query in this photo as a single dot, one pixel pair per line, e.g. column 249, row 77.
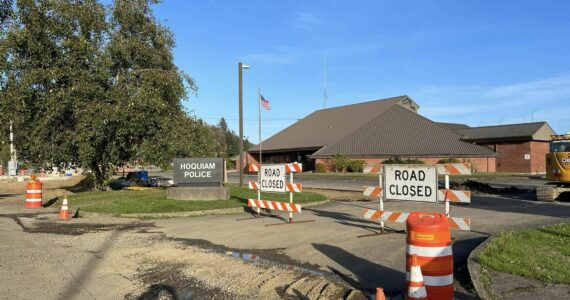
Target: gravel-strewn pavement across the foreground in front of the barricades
column 329, row 247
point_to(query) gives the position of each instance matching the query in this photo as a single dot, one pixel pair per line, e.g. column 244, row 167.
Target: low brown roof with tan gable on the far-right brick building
column 524, row 131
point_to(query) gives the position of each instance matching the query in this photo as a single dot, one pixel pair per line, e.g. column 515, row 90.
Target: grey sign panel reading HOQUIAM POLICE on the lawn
column 198, row 171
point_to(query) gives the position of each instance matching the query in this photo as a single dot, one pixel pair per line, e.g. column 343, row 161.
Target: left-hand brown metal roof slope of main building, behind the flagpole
column 326, row 126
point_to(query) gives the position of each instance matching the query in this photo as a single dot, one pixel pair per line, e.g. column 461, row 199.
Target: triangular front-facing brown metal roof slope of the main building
column 398, row 131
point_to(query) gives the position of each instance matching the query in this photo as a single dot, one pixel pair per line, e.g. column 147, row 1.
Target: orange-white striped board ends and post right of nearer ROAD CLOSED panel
column 453, row 195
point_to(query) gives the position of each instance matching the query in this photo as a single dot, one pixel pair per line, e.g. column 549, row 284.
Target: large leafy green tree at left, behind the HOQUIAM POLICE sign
column 97, row 87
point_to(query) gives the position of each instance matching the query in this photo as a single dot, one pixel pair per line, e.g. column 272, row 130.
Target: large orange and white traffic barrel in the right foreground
column 429, row 239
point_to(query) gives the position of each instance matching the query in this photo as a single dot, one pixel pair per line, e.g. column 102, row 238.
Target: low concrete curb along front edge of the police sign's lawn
column 198, row 213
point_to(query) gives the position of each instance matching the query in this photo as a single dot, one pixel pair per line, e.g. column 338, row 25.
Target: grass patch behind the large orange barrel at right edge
column 542, row 253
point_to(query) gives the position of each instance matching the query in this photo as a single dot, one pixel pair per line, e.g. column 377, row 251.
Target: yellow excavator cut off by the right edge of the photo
column 557, row 169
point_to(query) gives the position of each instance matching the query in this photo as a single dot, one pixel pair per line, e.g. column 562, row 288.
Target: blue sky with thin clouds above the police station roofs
column 473, row 62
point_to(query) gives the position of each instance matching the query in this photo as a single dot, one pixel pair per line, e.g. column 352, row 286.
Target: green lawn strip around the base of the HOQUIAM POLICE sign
column 154, row 201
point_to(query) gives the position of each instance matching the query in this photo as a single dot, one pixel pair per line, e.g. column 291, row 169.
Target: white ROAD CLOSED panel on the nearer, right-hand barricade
column 411, row 182
